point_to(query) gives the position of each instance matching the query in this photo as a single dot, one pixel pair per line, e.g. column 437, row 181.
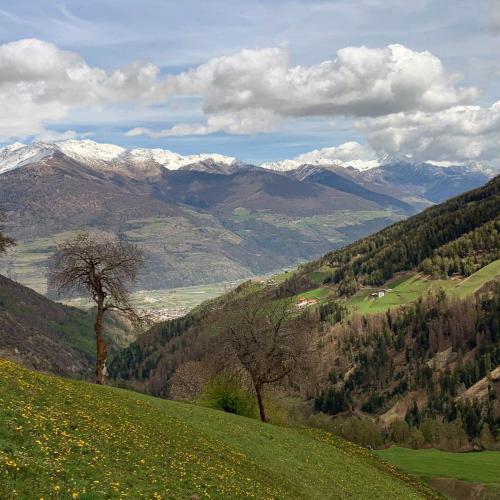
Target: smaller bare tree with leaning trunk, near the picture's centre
column 266, row 339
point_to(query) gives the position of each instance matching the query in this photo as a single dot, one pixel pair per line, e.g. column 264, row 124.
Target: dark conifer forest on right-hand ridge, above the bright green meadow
column 451, row 236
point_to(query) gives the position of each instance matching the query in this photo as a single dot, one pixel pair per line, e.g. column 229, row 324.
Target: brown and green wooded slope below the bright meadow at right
column 437, row 357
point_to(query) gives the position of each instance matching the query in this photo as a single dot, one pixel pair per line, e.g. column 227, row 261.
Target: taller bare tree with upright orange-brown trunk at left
column 103, row 268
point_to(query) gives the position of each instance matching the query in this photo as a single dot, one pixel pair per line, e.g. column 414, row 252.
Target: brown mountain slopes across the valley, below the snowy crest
column 196, row 226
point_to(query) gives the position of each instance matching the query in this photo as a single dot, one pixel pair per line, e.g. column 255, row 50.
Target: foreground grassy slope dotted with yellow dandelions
column 67, row 439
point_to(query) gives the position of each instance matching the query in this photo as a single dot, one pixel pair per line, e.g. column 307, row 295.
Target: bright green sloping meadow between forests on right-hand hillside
column 408, row 288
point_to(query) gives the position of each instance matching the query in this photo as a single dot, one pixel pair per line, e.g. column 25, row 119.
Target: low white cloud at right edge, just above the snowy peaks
column 460, row 133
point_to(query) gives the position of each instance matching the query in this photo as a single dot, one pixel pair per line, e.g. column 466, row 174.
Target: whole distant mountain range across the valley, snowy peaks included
column 204, row 218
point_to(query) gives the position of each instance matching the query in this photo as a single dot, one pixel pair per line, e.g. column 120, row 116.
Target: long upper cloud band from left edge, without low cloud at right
column 247, row 92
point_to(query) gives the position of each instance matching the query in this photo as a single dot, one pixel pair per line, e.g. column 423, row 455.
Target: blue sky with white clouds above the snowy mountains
column 258, row 80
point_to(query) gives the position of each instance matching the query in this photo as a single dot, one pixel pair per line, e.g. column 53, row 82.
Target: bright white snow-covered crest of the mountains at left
column 106, row 156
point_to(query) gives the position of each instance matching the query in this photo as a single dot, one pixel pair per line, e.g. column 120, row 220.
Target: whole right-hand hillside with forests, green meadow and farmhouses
column 404, row 359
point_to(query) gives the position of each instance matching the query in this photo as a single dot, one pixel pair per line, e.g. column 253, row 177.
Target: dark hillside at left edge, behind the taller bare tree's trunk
column 49, row 336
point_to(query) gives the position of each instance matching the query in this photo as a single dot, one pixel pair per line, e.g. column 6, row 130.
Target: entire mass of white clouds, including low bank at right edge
column 405, row 101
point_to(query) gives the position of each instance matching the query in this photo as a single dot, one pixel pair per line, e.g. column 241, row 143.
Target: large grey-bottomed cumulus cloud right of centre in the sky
column 239, row 88
